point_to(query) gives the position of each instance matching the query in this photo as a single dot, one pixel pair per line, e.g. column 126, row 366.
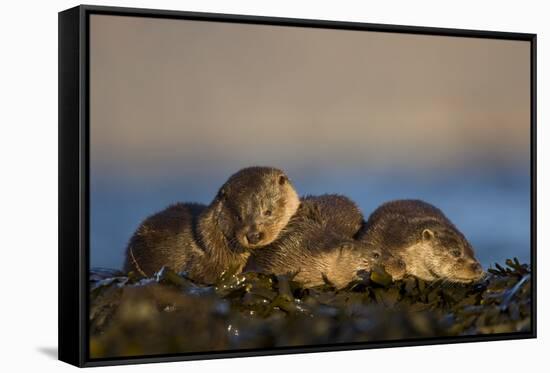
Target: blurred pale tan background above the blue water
column 189, row 93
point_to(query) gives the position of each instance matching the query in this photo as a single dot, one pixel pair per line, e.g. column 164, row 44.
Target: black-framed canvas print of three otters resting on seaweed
column 238, row 186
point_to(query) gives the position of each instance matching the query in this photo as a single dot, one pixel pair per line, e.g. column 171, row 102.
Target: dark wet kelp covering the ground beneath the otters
column 169, row 313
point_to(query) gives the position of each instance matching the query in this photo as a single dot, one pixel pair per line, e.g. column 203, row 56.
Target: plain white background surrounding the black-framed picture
column 28, row 183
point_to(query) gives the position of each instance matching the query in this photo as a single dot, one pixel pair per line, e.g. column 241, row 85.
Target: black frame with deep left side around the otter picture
column 74, row 191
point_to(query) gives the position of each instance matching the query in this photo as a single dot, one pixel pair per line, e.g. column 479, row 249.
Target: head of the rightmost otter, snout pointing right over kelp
column 442, row 252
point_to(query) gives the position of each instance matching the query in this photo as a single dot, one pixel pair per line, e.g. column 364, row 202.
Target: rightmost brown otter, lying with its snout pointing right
column 431, row 247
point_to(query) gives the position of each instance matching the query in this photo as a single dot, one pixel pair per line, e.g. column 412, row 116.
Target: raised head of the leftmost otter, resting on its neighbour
column 255, row 204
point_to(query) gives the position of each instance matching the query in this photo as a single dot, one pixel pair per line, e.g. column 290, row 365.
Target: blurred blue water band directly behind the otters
column 490, row 206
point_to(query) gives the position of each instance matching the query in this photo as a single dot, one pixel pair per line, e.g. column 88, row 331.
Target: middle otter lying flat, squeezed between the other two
column 317, row 246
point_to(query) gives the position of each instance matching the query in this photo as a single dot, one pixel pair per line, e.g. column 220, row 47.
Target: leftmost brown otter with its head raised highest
column 249, row 211
